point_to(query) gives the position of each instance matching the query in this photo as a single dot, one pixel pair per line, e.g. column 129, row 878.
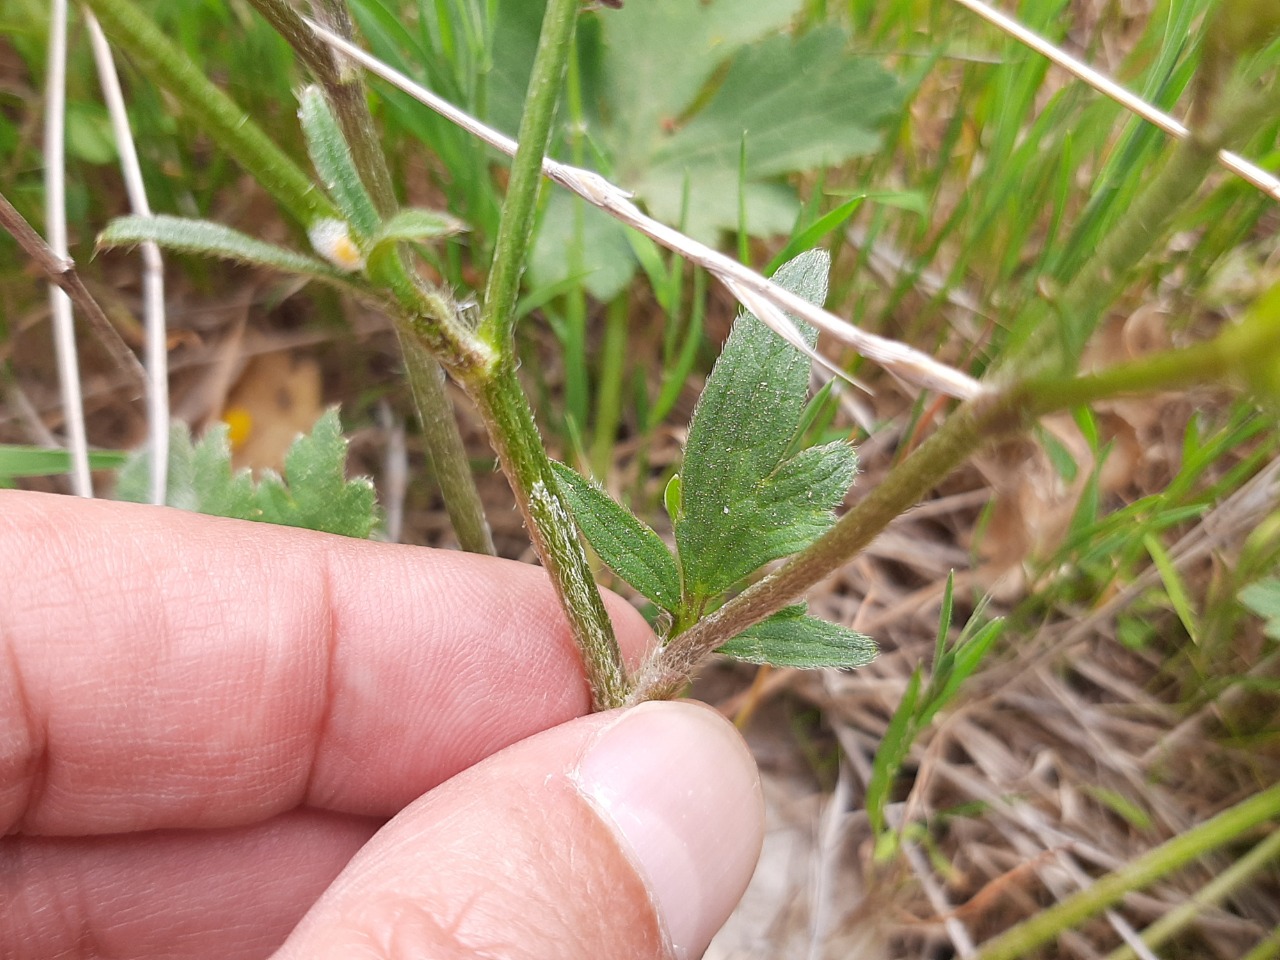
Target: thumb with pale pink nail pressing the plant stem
column 623, row 835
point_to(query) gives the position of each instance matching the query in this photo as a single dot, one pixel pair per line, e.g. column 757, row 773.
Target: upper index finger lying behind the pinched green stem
column 167, row 670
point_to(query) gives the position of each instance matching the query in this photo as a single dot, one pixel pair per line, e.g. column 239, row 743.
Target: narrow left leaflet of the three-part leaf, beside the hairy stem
column 629, row 547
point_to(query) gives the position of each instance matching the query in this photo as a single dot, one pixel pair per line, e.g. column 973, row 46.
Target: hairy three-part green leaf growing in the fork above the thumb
column 742, row 501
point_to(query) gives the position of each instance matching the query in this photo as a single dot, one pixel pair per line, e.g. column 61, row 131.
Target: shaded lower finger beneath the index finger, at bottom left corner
column 234, row 893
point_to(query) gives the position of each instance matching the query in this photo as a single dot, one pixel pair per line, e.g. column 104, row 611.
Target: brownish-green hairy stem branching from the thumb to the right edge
column 1251, row 350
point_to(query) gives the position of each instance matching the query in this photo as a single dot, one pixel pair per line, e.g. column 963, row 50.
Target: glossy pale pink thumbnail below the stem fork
column 679, row 788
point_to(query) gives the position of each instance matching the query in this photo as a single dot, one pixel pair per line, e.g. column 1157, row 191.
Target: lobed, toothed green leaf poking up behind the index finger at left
column 314, row 492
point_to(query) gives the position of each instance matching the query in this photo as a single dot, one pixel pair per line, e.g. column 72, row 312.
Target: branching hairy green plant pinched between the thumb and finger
column 742, row 500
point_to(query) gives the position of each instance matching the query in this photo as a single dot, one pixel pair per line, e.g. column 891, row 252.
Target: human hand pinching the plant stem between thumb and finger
column 203, row 721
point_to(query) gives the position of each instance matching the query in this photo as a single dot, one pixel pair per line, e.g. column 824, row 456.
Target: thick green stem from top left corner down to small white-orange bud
column 223, row 120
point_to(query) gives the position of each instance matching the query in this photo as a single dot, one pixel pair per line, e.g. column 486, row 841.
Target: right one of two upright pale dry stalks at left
column 153, row 267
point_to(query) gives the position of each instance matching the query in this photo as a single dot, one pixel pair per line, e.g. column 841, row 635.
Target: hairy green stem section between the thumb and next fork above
column 552, row 529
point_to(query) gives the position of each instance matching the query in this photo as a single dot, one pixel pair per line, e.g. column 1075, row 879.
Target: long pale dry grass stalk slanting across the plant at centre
column 903, row 362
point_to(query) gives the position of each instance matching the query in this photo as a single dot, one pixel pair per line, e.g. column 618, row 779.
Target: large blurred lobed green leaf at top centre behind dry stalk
column 679, row 88
